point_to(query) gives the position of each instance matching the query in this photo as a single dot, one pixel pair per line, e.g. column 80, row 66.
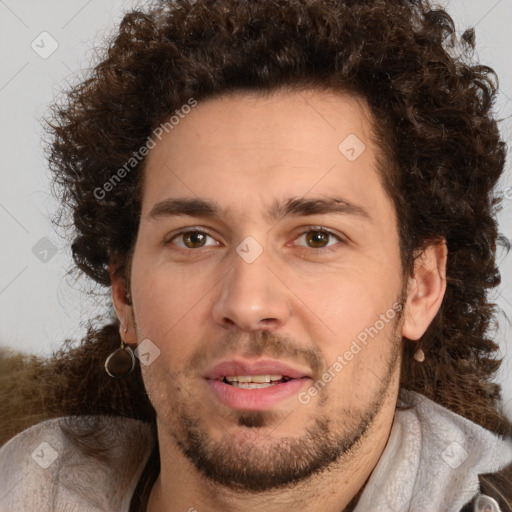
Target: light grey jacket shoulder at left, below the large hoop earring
column 91, row 462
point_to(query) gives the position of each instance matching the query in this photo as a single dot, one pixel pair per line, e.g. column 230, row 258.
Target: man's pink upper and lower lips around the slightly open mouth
column 255, row 399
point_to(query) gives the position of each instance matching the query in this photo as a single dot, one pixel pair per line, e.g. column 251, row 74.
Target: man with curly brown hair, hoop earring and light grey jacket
column 292, row 204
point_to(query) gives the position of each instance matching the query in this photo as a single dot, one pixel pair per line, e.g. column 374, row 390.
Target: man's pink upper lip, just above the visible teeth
column 260, row 367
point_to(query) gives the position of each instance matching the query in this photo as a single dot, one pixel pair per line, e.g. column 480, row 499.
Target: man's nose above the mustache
column 252, row 297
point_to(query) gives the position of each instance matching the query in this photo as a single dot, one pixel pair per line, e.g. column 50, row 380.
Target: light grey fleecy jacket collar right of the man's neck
column 432, row 460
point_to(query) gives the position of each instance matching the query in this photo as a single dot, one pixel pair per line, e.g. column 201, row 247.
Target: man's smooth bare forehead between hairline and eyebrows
column 249, row 151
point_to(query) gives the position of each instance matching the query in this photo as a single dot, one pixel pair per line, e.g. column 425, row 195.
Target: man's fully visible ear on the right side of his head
column 426, row 290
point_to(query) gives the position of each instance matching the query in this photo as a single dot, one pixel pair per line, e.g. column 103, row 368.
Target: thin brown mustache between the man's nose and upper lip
column 257, row 344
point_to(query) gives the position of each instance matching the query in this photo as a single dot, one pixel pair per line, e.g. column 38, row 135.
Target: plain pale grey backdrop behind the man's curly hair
column 44, row 47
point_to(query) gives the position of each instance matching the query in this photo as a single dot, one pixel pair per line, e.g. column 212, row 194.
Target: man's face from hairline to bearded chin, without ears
column 267, row 250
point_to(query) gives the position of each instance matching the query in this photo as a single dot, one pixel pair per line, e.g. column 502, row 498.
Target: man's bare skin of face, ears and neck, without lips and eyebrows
column 302, row 301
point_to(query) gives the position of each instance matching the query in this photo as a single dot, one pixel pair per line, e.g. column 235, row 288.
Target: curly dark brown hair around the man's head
column 433, row 120
